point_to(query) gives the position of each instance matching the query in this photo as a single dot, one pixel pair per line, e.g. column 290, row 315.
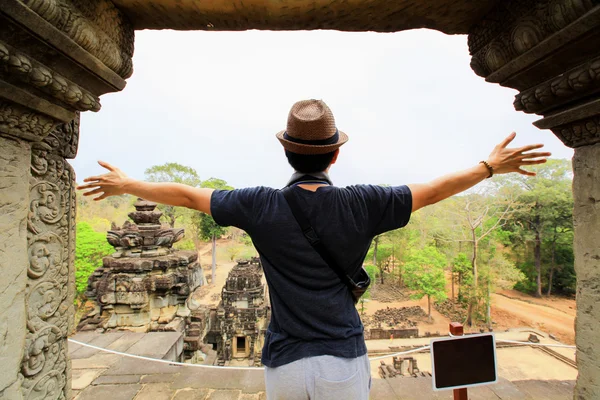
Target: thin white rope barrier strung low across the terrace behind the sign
column 416, row 350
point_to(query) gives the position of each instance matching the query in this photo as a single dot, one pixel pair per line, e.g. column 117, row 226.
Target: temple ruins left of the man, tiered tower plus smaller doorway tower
column 147, row 286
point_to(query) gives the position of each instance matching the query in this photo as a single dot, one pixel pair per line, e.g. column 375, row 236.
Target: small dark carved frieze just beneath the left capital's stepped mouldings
column 19, row 121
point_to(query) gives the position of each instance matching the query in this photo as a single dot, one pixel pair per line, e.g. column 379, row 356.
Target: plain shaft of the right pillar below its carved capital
column 586, row 214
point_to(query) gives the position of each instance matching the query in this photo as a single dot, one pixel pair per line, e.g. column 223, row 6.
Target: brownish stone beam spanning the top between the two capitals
column 448, row 16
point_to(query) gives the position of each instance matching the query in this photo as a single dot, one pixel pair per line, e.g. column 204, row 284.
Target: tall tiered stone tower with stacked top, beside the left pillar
column 145, row 285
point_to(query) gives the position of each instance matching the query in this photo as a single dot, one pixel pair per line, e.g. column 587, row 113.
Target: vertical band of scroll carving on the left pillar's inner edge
column 50, row 238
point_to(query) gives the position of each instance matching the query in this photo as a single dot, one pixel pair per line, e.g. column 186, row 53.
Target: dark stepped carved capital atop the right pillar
column 547, row 50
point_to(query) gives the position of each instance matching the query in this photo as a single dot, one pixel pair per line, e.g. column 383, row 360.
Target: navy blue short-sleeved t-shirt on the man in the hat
column 312, row 311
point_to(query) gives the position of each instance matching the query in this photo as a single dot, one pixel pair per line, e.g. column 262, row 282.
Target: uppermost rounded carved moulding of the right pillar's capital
column 517, row 26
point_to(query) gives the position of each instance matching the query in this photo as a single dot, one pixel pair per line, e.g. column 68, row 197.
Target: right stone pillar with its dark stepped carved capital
column 548, row 50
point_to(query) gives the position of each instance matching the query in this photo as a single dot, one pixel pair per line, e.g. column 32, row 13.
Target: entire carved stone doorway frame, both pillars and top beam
column 57, row 57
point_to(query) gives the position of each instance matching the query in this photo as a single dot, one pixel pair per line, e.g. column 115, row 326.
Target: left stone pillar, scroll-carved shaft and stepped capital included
column 56, row 58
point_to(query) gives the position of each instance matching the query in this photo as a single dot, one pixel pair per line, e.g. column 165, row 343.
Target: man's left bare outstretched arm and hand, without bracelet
column 115, row 182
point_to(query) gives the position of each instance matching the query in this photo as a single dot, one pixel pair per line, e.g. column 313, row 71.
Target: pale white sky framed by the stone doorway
column 409, row 102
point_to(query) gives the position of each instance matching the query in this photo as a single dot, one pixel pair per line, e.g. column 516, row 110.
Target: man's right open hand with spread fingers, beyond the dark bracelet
column 504, row 160
